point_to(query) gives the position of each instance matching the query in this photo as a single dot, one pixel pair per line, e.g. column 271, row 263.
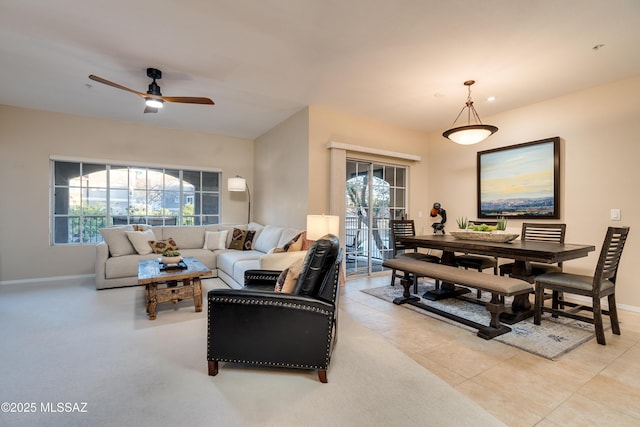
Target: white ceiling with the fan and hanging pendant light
column 398, row 61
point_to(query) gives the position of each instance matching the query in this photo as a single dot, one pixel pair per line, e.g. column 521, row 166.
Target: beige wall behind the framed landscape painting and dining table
column 600, row 150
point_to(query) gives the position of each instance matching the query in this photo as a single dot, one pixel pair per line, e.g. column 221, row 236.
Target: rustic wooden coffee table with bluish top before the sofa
column 171, row 285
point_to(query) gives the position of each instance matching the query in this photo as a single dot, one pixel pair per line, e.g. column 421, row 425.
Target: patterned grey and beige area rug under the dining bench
column 551, row 339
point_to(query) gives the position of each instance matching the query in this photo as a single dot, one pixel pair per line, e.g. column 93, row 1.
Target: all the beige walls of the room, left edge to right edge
column 599, row 152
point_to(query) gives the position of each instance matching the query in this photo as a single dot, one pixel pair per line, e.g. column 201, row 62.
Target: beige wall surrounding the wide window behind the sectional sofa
column 27, row 140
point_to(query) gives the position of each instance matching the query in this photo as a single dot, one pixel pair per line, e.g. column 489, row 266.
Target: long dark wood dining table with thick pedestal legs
column 522, row 252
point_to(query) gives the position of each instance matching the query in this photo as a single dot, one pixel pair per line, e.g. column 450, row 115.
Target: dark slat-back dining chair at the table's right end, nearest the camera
column 601, row 284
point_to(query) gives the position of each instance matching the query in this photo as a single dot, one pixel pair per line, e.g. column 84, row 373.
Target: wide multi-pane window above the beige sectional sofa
column 89, row 196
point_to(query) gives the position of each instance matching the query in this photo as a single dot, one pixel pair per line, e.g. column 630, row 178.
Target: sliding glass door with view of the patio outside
column 375, row 193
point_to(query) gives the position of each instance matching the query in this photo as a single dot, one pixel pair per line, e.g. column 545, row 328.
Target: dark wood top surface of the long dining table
column 519, row 250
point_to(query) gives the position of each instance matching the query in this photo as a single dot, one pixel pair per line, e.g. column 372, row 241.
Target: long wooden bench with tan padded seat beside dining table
column 499, row 287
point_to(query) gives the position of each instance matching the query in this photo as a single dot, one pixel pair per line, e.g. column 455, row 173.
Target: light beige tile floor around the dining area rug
column 592, row 385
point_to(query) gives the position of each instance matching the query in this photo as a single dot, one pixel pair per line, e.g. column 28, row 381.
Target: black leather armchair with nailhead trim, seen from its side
column 254, row 325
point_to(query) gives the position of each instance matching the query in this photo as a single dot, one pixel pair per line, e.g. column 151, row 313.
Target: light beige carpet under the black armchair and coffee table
column 73, row 344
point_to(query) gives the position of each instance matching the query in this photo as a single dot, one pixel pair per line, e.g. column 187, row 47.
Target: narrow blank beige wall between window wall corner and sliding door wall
column 281, row 169
